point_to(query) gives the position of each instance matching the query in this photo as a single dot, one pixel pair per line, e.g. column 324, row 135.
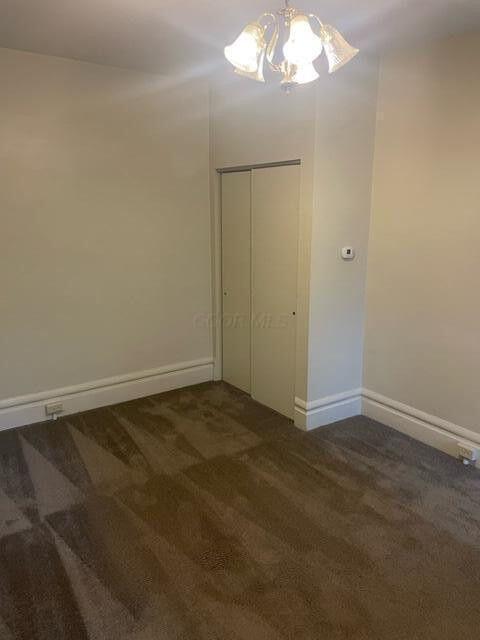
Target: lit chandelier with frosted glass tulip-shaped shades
column 302, row 46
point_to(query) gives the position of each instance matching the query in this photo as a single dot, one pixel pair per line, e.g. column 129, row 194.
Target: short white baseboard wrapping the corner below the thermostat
column 318, row 413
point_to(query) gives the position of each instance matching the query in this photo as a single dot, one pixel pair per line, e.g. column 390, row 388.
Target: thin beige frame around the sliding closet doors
column 217, row 290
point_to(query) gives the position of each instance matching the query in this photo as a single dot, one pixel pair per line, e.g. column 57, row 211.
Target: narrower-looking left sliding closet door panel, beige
column 236, row 276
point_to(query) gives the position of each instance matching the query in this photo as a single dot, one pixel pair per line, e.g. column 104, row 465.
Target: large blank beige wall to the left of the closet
column 105, row 222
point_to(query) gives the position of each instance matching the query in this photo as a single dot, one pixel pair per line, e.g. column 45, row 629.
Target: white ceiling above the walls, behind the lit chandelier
column 166, row 35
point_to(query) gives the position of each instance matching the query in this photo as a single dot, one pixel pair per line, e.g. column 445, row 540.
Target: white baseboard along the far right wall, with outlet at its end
column 431, row 430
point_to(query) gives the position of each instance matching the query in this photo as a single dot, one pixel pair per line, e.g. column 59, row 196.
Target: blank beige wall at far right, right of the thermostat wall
column 422, row 332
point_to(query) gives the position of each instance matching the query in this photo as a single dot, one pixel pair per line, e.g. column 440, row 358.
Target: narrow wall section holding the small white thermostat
column 344, row 145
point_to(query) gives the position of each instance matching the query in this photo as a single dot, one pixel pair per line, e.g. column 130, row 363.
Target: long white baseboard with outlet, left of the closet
column 16, row 412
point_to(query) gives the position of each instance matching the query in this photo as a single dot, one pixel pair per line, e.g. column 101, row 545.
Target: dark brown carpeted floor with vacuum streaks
column 199, row 514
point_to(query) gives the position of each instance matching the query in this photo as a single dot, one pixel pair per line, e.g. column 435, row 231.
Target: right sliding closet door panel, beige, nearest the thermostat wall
column 275, row 201
